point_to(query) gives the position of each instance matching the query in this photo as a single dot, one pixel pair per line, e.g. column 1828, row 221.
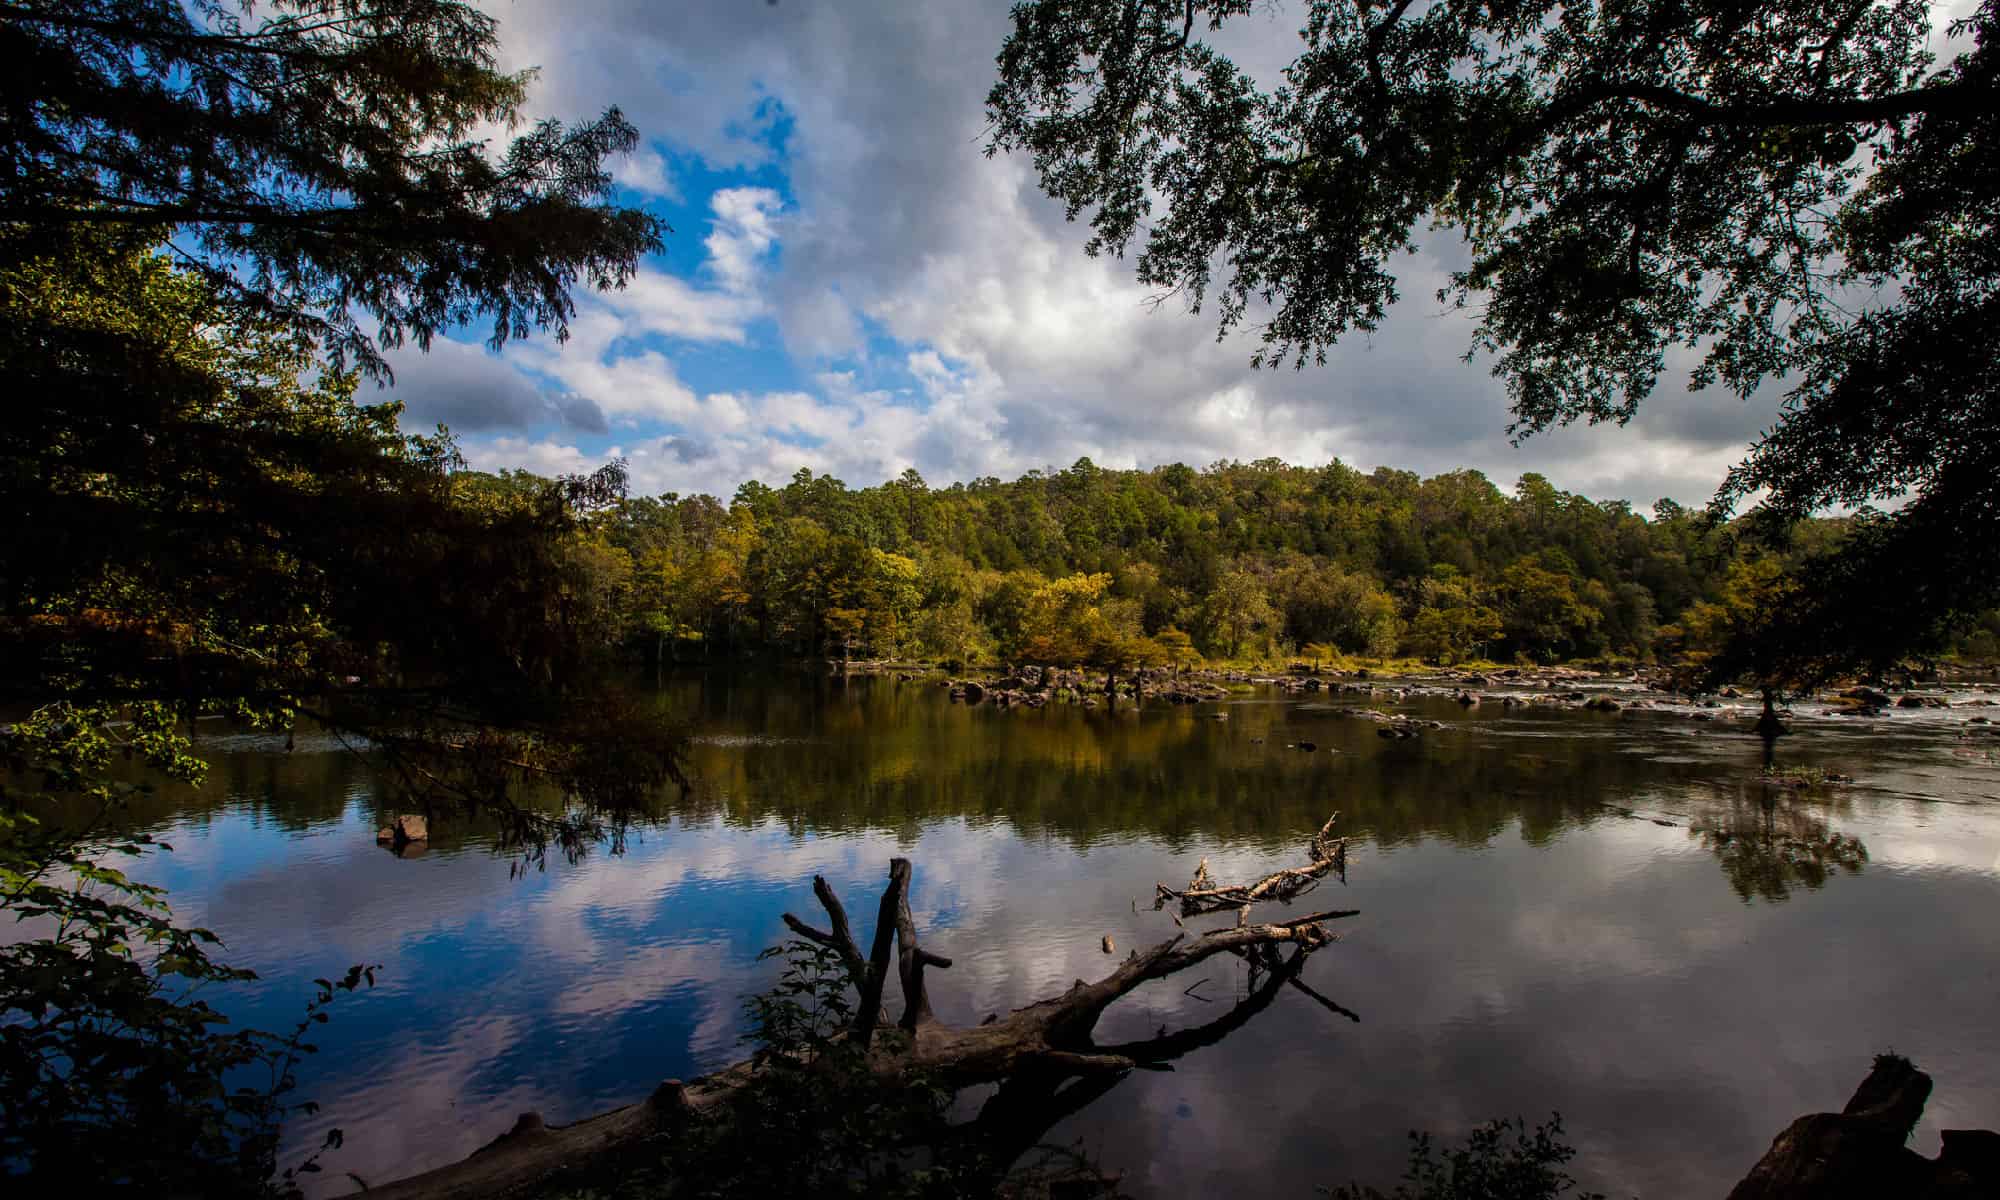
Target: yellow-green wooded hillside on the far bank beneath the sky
column 1173, row 565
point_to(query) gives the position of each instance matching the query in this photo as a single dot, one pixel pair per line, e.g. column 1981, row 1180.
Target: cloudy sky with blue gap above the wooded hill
column 853, row 287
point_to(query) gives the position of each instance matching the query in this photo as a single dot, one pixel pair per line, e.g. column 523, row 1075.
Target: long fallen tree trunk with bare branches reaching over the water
column 1043, row 1055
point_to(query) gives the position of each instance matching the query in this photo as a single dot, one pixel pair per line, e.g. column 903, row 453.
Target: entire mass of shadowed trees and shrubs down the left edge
column 201, row 207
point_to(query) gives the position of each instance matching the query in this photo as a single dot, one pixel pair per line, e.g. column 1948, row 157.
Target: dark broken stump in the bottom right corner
column 1859, row 1153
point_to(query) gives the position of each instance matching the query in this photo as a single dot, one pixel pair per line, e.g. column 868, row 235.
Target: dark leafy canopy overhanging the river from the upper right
column 1789, row 189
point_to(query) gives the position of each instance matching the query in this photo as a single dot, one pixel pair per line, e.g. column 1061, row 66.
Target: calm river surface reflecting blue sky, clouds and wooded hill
column 1525, row 947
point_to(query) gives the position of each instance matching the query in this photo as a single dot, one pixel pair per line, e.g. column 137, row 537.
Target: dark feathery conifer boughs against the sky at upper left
column 317, row 161
